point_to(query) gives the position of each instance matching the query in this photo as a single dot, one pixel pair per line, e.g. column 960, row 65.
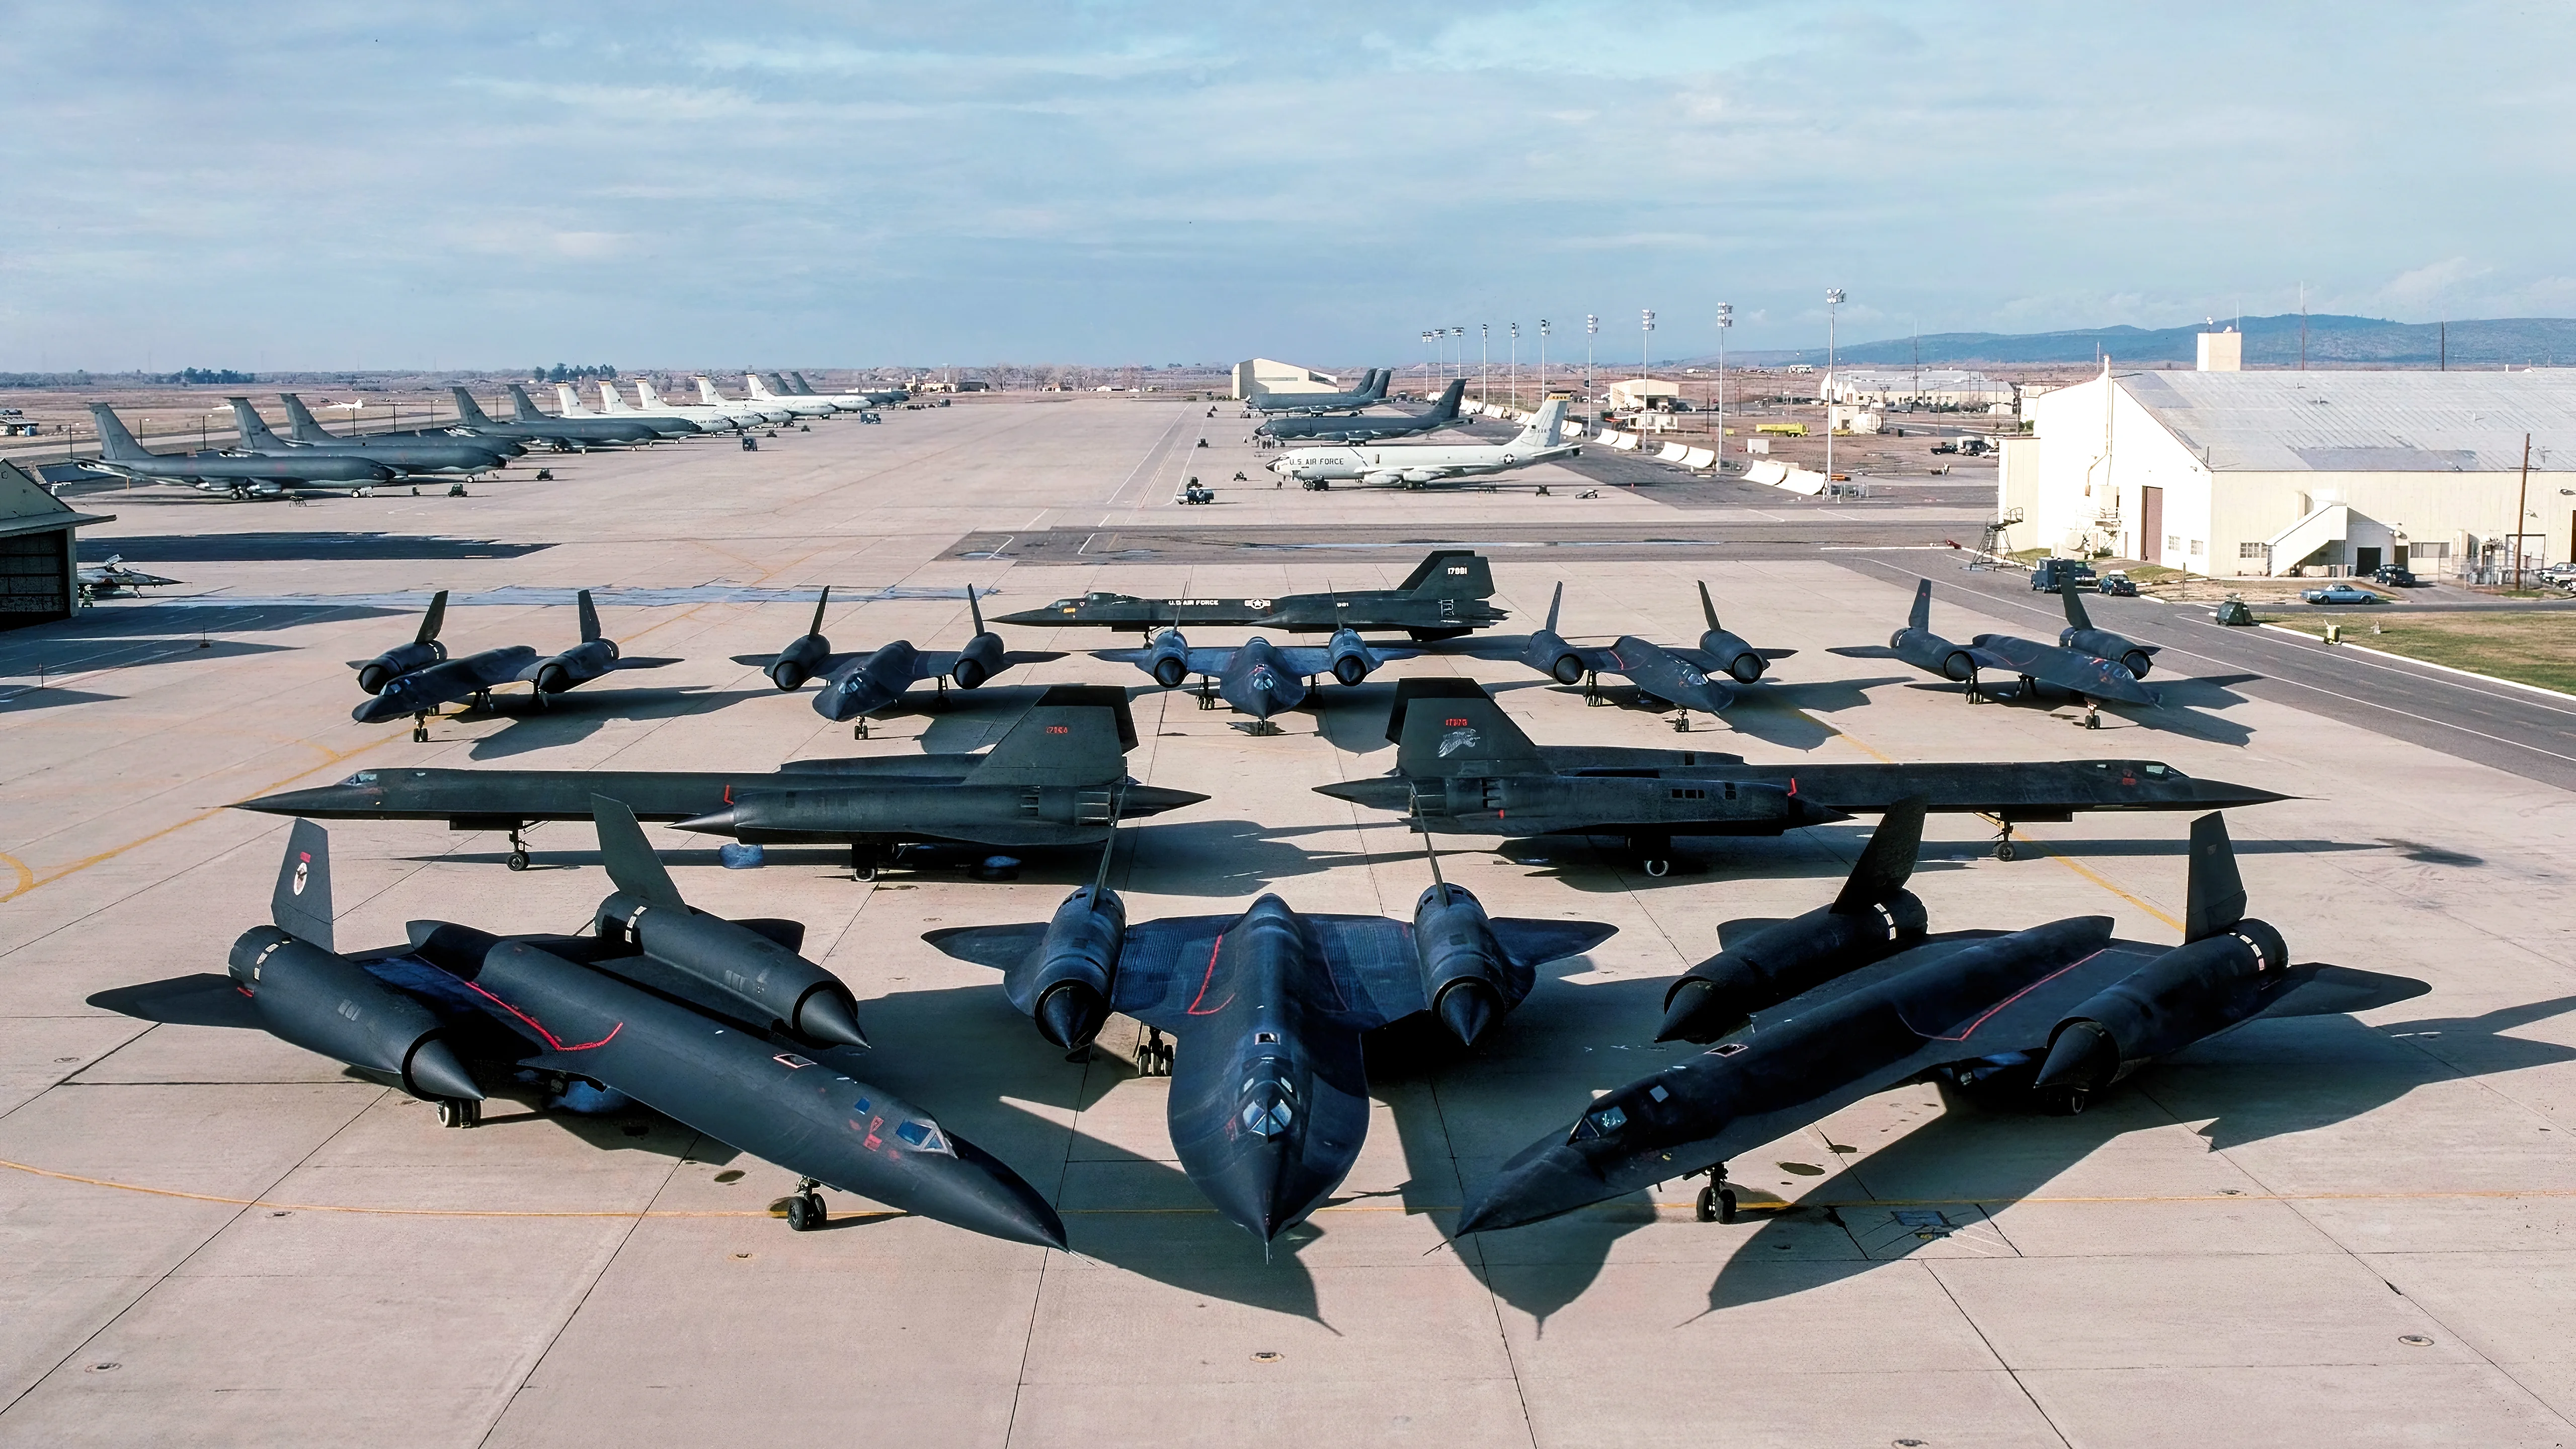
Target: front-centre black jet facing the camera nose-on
column 1269, row 1092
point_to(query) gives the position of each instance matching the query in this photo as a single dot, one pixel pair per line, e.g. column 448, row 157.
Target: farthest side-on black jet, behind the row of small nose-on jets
column 1446, row 597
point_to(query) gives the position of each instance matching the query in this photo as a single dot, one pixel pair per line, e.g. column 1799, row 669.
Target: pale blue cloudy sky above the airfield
column 316, row 187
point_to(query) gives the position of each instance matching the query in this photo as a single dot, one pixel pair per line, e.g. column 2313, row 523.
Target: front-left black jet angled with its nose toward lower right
column 717, row 1025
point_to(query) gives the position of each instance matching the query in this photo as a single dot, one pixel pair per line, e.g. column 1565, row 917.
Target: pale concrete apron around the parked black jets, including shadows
column 2299, row 1234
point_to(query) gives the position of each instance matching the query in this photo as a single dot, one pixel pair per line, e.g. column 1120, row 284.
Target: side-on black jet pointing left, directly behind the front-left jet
column 1047, row 783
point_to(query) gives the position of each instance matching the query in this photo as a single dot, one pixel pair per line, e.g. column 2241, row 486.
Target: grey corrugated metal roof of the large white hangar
column 2366, row 422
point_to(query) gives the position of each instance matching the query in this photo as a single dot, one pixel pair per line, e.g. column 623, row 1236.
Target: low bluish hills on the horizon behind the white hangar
column 2271, row 342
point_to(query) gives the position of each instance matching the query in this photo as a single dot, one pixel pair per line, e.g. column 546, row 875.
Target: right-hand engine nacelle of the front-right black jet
column 2163, row 1007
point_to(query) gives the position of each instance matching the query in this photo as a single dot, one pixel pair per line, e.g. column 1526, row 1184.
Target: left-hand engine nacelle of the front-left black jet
column 334, row 1007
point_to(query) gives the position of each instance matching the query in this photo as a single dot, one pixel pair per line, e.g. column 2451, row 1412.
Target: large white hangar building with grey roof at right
column 2271, row 473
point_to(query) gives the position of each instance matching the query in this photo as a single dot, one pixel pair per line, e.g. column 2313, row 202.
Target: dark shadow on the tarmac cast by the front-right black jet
column 1946, row 1177
